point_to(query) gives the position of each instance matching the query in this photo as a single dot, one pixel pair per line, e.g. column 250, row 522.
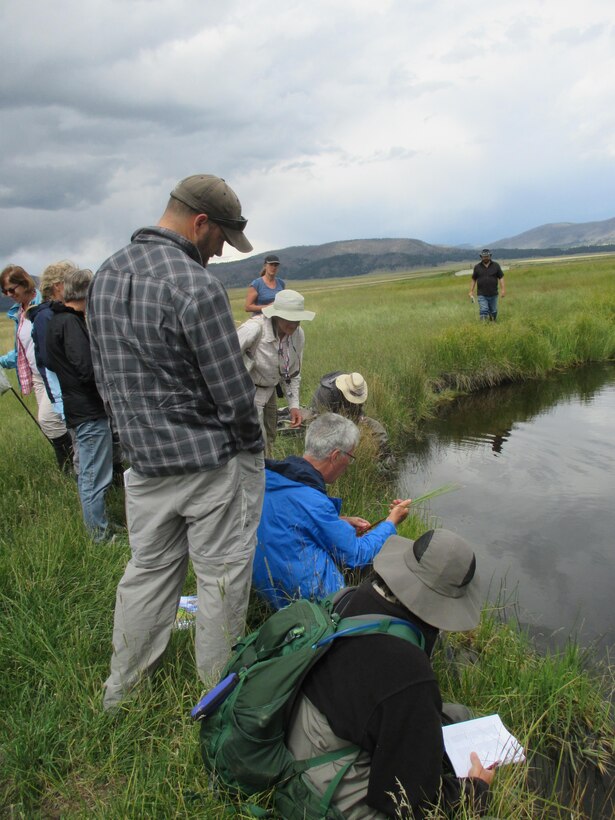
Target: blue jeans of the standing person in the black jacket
column 95, row 474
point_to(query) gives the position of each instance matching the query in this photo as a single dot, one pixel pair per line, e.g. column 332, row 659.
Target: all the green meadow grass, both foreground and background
column 417, row 340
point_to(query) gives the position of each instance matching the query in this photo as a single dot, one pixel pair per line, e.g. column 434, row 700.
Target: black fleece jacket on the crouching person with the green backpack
column 380, row 692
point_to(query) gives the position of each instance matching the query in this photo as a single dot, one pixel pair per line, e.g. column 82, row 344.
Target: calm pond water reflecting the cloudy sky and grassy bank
column 536, row 464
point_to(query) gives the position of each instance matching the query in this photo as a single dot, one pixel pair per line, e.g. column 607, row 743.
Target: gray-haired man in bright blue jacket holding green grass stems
column 303, row 542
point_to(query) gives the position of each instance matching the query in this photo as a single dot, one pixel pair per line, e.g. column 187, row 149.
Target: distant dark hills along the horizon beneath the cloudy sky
column 360, row 256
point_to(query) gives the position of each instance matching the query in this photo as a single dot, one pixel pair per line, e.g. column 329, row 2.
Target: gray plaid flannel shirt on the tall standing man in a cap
column 167, row 360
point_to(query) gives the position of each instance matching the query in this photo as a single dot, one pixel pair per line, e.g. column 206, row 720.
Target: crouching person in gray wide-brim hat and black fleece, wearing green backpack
column 379, row 692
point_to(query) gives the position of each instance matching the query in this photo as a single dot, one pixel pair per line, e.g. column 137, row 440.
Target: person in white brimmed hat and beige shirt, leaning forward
column 272, row 345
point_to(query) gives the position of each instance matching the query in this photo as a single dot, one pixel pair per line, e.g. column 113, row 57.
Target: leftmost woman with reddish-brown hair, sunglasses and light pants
column 21, row 287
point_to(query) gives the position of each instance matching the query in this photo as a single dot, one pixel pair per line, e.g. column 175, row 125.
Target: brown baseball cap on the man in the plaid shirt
column 208, row 194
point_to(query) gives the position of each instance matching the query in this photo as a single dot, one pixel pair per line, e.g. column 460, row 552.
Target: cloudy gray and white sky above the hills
column 451, row 121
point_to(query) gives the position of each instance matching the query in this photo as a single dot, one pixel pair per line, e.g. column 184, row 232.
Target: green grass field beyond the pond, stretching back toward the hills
column 418, row 338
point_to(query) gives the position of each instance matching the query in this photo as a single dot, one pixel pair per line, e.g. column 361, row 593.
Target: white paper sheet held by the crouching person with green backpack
column 488, row 737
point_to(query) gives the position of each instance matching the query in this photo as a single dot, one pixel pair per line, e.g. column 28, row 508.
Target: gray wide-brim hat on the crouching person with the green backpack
column 434, row 577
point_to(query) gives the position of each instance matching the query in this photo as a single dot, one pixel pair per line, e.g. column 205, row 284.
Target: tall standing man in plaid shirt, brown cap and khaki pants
column 169, row 368
